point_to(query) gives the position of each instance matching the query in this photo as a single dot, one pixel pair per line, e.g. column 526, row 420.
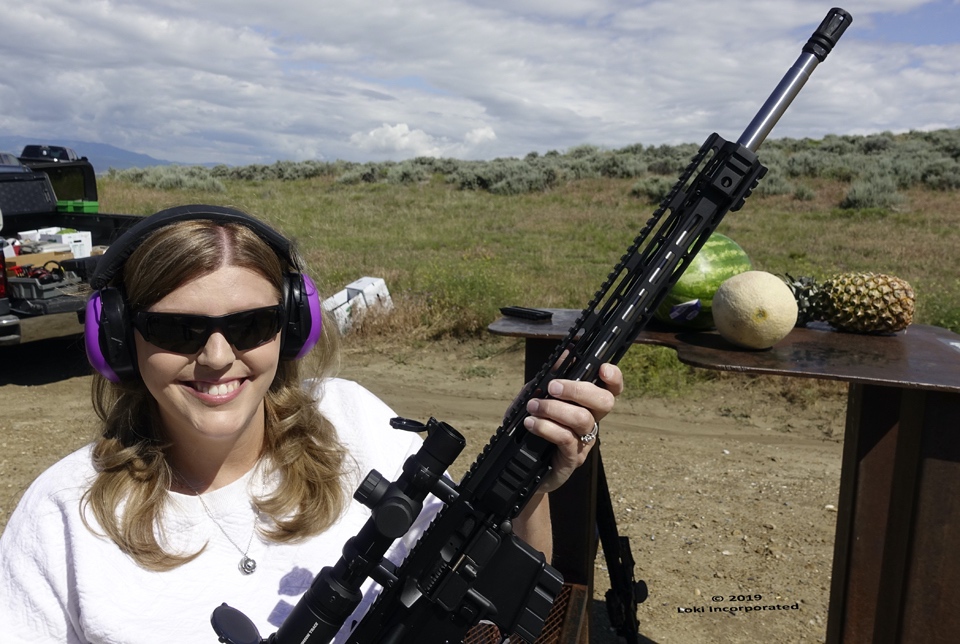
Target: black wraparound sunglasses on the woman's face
column 185, row 333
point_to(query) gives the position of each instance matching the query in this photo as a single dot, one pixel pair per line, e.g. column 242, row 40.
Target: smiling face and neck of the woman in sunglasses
column 211, row 399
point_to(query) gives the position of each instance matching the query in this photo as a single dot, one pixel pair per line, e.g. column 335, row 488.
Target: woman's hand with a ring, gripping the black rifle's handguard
column 571, row 412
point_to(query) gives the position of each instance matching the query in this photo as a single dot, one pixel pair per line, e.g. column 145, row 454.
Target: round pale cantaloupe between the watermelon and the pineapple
column 754, row 309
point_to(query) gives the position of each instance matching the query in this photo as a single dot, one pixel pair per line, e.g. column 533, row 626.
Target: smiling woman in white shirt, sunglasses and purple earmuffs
column 218, row 475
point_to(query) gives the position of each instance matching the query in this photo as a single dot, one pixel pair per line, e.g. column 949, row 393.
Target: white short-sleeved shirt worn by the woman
column 61, row 583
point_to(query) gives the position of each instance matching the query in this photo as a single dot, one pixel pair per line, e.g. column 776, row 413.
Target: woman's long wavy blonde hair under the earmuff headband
column 130, row 491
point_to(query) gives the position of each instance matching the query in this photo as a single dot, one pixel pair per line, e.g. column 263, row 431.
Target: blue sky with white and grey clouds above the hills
column 252, row 81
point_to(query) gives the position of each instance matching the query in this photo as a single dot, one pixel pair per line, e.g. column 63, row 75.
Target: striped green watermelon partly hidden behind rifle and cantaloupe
column 689, row 303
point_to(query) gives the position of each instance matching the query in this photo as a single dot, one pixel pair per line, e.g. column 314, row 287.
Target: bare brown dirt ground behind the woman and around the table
column 728, row 495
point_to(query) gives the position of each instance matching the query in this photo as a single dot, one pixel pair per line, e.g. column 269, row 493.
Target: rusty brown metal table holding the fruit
column 896, row 564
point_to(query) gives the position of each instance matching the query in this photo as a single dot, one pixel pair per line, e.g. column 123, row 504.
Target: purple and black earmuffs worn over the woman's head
column 108, row 332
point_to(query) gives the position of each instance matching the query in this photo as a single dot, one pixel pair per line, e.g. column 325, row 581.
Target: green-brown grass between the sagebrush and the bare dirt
column 452, row 257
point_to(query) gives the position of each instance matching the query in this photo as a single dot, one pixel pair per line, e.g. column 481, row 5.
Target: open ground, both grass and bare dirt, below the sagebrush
column 726, row 484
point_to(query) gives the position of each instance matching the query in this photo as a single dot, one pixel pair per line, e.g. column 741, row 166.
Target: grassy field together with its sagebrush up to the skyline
column 455, row 255
